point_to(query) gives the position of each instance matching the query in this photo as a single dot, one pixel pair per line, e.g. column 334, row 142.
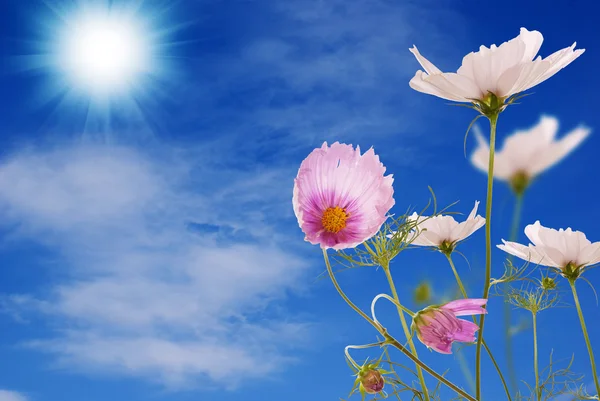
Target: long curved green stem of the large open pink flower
column 391, row 340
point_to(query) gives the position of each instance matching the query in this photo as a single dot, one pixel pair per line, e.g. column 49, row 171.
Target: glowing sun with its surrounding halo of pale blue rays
column 103, row 65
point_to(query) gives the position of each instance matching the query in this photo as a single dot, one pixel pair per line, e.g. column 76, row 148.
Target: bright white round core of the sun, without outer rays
column 104, row 53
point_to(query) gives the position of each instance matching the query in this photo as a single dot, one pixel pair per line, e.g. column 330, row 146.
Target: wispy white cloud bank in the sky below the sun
column 146, row 296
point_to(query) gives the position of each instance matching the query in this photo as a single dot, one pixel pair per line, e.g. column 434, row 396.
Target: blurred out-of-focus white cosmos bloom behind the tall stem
column 525, row 154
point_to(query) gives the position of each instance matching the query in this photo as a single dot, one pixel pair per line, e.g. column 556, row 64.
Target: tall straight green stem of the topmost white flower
column 488, row 250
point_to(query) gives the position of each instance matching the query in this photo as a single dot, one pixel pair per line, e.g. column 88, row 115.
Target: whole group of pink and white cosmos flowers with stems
column 341, row 197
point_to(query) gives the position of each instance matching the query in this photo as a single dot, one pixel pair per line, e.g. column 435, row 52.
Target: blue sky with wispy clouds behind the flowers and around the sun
column 149, row 251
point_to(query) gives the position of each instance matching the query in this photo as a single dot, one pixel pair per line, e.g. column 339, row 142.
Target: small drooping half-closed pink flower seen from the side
column 438, row 326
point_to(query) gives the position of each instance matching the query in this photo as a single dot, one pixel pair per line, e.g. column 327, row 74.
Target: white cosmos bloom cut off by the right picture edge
column 562, row 249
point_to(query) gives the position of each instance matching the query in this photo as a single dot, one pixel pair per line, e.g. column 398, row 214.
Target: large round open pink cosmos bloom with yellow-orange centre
column 340, row 196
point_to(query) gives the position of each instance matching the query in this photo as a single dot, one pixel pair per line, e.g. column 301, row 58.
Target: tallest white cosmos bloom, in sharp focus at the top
column 504, row 70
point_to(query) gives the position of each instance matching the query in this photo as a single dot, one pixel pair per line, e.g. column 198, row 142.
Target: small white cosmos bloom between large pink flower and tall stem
column 443, row 231
